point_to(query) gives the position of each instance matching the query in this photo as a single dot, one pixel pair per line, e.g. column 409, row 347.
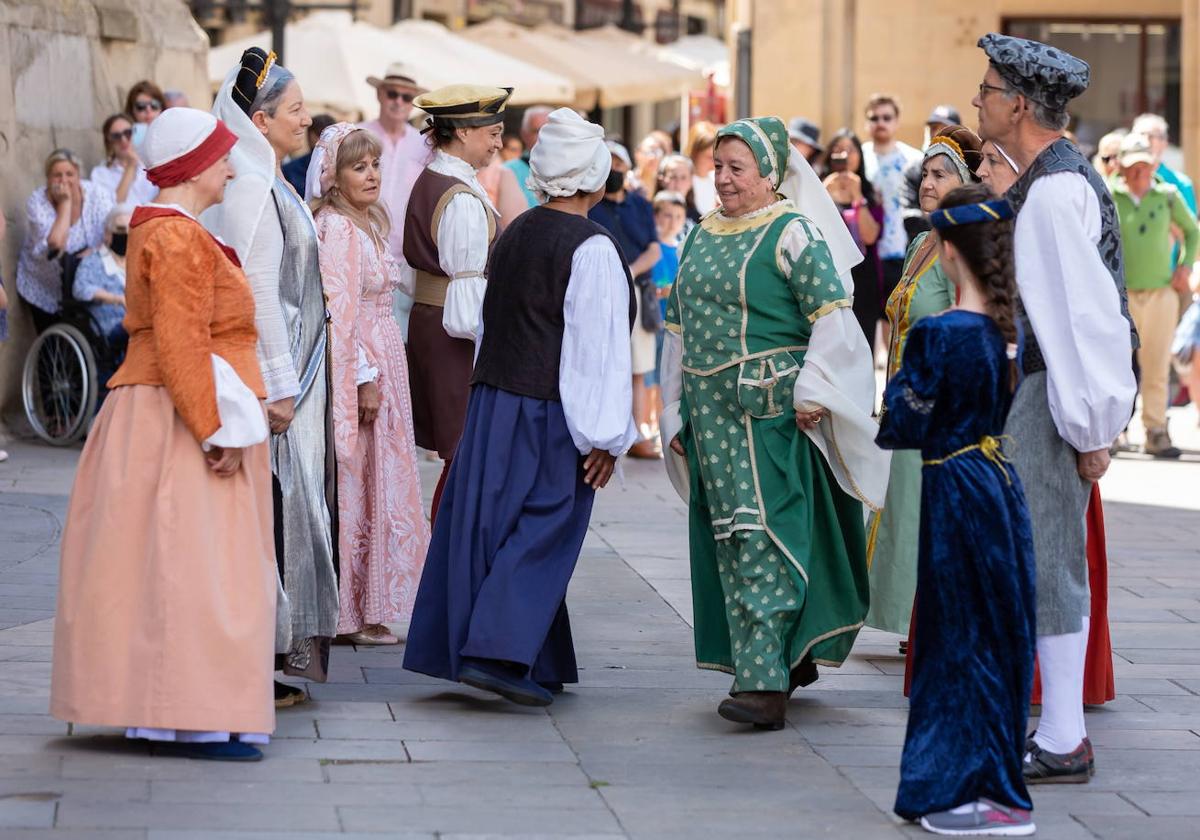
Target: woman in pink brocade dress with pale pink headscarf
column 382, row 529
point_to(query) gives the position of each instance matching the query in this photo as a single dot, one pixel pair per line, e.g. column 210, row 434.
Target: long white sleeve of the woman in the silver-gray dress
column 262, row 268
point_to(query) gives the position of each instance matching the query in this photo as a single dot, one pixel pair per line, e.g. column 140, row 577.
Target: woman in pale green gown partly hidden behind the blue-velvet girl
column 925, row 290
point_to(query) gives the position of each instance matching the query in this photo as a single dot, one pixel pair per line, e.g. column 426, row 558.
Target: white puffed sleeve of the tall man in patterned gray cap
column 1076, row 311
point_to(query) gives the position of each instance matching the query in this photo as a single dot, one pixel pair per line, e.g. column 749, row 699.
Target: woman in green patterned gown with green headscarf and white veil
column 770, row 389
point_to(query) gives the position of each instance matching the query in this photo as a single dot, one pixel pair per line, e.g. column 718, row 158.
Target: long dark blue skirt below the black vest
column 508, row 536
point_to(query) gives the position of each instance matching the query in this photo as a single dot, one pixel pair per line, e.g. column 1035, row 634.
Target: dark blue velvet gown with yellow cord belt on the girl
column 975, row 614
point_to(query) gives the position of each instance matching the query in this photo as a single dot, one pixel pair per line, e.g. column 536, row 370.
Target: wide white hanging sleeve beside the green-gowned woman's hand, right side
column 839, row 376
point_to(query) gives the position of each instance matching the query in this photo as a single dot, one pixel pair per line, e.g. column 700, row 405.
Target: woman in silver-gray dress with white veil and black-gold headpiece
column 274, row 235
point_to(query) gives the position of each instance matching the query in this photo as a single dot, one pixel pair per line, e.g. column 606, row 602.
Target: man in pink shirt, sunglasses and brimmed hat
column 405, row 155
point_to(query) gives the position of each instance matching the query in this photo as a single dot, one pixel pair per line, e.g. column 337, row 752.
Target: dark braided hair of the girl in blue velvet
column 988, row 250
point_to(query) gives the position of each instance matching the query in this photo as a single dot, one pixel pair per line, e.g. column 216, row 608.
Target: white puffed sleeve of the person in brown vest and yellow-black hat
column 463, row 255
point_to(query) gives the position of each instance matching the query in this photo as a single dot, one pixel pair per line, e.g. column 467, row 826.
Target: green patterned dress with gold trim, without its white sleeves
column 778, row 549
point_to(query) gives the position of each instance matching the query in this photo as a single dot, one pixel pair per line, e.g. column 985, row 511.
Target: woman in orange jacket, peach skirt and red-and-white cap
column 166, row 615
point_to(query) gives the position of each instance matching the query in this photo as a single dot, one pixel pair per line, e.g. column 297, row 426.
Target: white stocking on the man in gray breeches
column 1061, row 663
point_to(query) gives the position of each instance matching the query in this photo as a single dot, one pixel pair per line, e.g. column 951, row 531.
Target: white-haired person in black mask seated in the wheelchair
column 100, row 283
